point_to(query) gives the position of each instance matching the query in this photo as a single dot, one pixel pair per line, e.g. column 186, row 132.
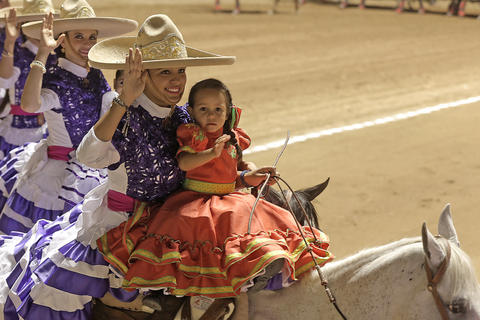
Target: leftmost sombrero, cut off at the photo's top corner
column 30, row 10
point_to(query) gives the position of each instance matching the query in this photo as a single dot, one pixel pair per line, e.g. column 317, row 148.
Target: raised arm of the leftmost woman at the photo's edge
column 11, row 35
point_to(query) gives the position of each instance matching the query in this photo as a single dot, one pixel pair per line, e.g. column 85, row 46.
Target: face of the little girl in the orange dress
column 210, row 109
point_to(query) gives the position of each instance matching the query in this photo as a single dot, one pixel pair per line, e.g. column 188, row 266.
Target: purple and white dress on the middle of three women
column 44, row 180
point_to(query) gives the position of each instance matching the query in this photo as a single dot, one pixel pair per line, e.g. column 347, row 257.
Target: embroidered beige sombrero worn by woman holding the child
column 161, row 44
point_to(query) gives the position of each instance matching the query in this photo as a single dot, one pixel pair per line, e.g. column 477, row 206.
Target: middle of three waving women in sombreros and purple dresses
column 43, row 180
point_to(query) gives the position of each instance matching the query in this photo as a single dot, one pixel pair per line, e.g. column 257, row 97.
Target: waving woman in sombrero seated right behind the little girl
column 55, row 268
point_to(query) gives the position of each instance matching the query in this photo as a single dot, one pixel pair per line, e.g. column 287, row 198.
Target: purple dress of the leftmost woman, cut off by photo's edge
column 17, row 128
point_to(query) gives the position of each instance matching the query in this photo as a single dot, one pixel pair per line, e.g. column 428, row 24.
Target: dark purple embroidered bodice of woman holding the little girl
column 148, row 153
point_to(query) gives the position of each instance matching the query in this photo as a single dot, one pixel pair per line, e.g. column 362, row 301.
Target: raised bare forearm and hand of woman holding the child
column 134, row 84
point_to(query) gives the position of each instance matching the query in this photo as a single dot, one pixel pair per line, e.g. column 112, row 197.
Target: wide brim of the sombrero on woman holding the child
column 111, row 53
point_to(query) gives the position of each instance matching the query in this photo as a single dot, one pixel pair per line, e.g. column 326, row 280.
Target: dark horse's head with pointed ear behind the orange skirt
column 305, row 198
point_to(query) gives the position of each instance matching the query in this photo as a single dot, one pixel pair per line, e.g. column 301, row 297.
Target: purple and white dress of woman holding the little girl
column 55, row 255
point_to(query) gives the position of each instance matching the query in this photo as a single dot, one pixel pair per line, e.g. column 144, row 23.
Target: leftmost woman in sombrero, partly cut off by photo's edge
column 18, row 51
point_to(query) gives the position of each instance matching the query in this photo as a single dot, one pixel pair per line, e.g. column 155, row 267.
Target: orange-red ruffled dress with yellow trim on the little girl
column 197, row 242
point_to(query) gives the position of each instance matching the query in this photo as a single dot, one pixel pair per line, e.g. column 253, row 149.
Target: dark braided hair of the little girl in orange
column 212, row 83
